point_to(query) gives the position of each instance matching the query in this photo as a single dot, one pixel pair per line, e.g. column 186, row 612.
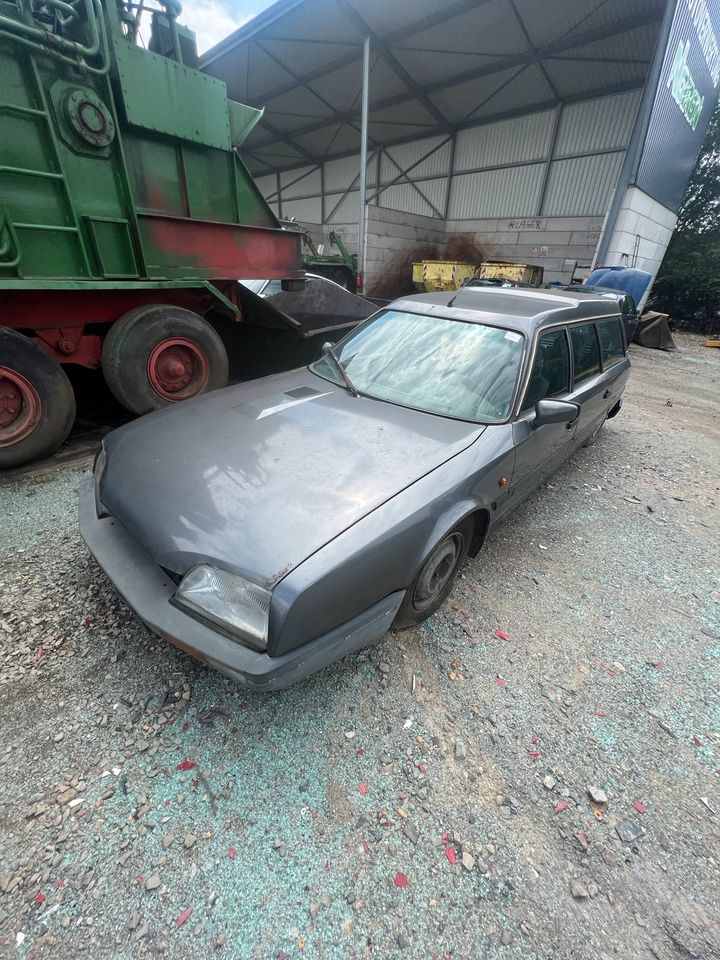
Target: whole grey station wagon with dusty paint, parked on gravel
column 271, row 527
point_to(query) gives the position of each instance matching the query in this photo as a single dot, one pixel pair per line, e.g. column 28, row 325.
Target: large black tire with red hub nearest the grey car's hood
column 130, row 356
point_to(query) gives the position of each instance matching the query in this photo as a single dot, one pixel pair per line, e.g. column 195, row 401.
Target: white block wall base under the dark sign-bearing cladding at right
column 642, row 232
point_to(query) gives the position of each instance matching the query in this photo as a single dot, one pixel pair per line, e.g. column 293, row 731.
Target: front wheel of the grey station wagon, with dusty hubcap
column 422, row 597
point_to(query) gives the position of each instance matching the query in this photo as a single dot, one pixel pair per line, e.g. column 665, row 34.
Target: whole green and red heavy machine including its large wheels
column 126, row 214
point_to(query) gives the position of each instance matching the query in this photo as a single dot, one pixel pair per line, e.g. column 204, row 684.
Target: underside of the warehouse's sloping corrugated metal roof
column 437, row 65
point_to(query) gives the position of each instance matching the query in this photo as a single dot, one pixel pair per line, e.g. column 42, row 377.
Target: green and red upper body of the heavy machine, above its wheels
column 117, row 162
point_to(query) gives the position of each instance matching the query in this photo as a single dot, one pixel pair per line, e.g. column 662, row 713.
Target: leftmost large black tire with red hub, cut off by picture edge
column 46, row 401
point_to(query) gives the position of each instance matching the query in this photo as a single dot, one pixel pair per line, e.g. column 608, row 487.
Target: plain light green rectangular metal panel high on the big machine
column 167, row 97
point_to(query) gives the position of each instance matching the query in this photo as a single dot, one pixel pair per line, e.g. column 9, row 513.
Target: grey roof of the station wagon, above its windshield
column 514, row 308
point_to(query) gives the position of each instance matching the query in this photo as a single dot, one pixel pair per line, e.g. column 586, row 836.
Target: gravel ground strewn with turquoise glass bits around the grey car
column 534, row 773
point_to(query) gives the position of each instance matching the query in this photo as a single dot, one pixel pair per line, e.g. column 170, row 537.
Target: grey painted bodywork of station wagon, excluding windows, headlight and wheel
column 332, row 500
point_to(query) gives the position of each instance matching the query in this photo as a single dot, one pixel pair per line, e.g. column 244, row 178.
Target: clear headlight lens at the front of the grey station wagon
column 233, row 603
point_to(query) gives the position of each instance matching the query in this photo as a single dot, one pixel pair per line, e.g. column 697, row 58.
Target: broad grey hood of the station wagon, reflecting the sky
column 256, row 478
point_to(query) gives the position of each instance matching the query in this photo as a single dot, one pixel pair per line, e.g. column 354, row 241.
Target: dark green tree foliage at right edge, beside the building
column 688, row 283
